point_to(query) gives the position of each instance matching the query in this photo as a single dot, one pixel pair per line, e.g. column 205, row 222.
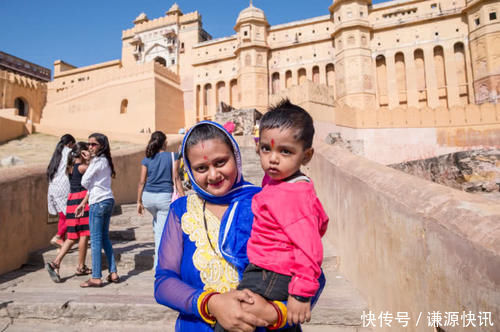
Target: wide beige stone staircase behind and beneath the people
column 30, row 301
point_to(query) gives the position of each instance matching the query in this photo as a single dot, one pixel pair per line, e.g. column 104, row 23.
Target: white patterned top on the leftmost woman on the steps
column 57, row 196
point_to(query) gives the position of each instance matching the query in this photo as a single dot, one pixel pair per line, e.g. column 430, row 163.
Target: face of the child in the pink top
column 281, row 155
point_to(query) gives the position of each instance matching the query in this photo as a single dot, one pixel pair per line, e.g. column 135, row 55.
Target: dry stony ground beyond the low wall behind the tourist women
column 38, row 148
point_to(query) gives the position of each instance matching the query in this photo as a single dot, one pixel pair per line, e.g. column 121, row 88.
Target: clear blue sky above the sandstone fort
column 87, row 32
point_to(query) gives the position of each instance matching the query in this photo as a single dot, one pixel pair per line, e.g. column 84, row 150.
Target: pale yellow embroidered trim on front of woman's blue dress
column 215, row 272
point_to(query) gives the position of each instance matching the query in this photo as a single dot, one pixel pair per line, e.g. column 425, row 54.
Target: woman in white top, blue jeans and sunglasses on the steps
column 97, row 180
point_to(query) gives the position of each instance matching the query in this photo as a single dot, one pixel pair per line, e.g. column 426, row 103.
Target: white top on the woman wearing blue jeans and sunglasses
column 97, row 180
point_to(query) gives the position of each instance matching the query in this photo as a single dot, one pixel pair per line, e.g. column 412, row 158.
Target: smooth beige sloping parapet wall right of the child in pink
column 407, row 244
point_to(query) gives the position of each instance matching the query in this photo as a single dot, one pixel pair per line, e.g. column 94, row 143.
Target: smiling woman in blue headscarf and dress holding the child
column 202, row 252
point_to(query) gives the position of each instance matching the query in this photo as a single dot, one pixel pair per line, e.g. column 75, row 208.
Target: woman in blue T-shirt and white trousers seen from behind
column 157, row 183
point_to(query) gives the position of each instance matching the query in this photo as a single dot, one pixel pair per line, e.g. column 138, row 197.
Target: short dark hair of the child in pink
column 287, row 115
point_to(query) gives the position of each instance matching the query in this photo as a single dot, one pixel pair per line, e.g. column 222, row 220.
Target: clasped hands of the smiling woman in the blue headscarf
column 227, row 310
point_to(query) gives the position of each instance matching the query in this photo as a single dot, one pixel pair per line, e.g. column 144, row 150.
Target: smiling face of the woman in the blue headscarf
column 213, row 165
